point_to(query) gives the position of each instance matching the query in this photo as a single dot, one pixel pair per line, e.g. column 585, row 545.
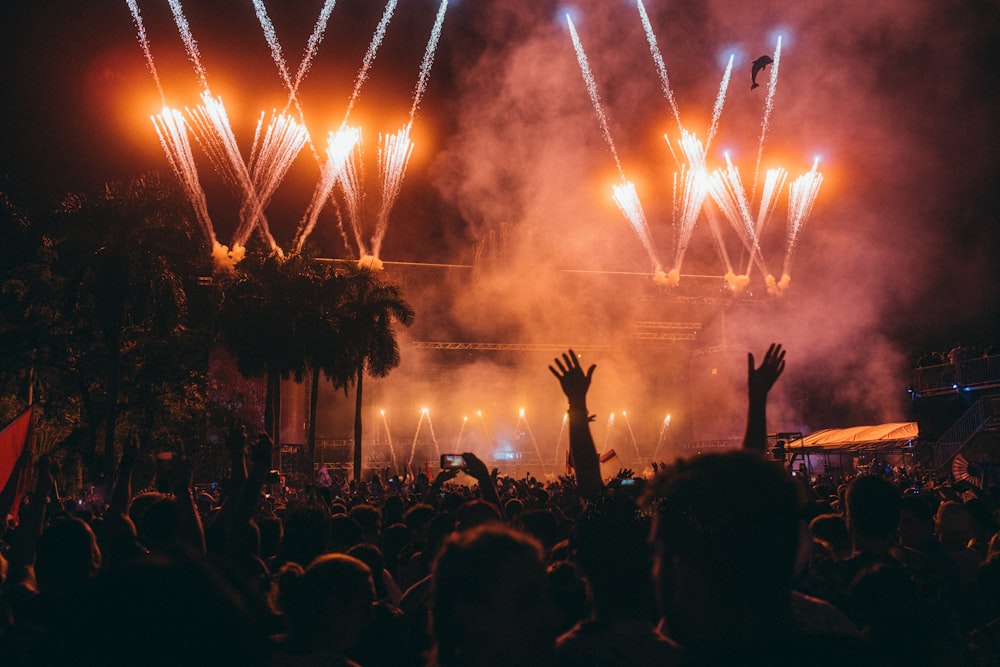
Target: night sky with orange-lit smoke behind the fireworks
column 900, row 100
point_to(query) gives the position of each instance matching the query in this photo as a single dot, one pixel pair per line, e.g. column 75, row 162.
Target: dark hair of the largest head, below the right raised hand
column 733, row 516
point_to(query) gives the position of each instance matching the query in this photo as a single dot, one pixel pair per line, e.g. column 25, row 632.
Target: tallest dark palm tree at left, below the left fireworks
column 125, row 257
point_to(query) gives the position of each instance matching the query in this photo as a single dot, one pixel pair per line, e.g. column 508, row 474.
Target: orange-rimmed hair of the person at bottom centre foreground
column 466, row 572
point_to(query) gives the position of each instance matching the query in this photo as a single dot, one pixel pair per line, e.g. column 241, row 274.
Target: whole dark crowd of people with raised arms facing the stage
column 720, row 559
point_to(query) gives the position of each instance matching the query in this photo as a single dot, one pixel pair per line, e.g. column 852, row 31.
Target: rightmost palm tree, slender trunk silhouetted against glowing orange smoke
column 367, row 315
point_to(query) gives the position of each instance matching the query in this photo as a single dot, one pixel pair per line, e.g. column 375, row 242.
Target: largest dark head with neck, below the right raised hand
column 725, row 537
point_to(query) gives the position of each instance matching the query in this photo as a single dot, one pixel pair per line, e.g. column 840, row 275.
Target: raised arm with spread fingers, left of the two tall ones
column 583, row 454
